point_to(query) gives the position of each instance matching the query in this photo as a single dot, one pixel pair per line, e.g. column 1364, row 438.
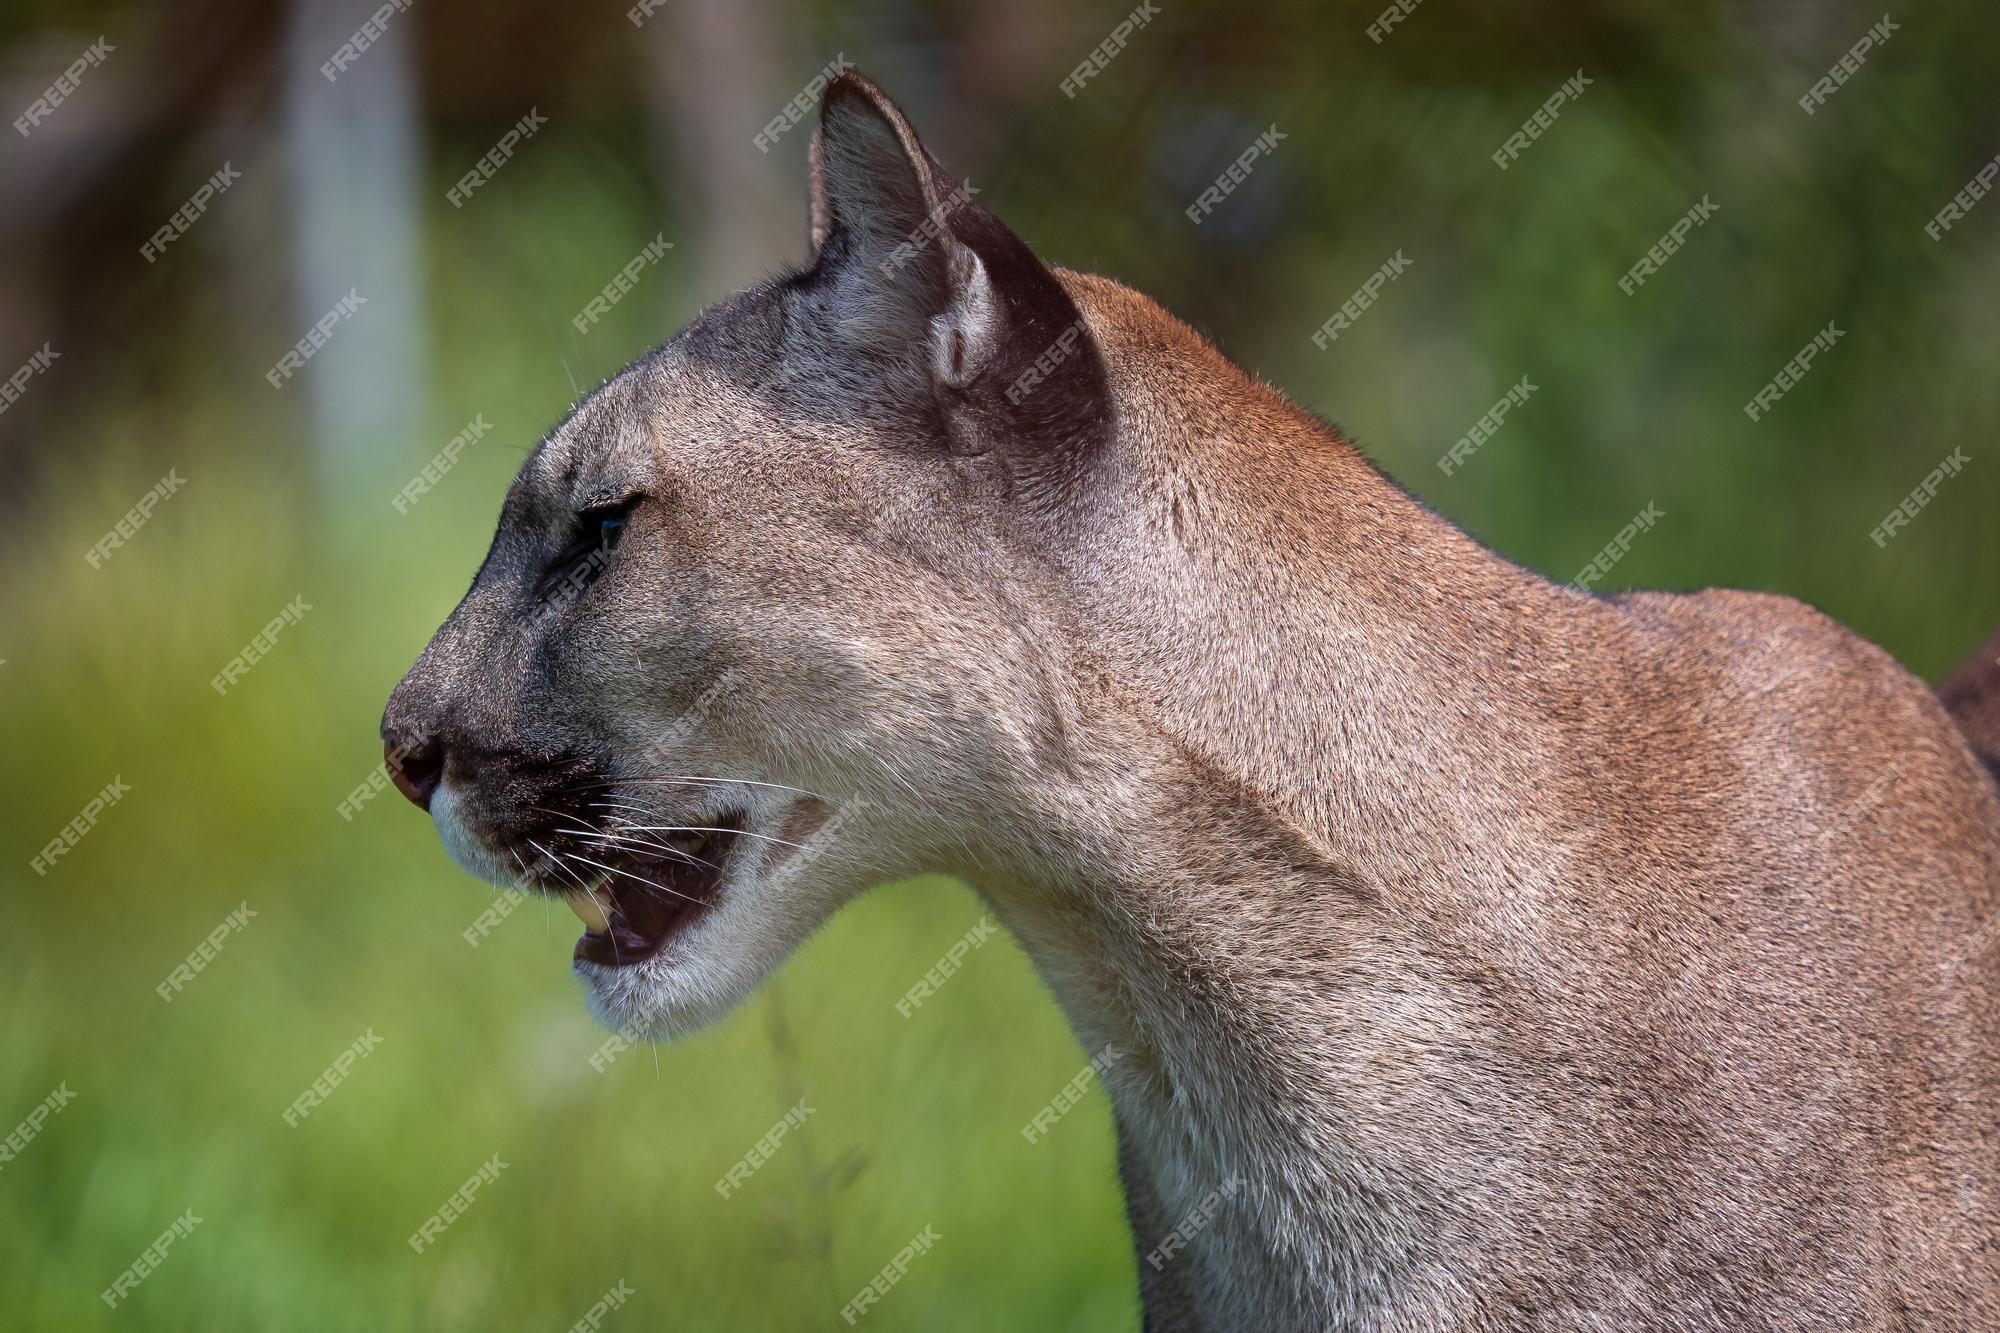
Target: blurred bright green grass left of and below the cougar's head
column 359, row 926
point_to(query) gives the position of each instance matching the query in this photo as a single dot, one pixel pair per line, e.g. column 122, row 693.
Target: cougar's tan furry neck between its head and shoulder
column 1317, row 698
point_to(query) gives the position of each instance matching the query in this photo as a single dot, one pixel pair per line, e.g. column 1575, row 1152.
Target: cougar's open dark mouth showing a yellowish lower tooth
column 653, row 890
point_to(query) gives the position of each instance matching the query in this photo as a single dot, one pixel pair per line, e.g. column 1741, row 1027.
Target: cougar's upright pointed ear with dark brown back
column 927, row 275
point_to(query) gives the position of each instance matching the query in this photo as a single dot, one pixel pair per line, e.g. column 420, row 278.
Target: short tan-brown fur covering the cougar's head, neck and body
column 1517, row 958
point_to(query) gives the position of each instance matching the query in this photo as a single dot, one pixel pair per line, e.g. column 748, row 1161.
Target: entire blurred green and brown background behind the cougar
column 469, row 313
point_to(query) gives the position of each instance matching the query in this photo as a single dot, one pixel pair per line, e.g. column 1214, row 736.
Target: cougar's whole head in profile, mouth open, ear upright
column 765, row 615
